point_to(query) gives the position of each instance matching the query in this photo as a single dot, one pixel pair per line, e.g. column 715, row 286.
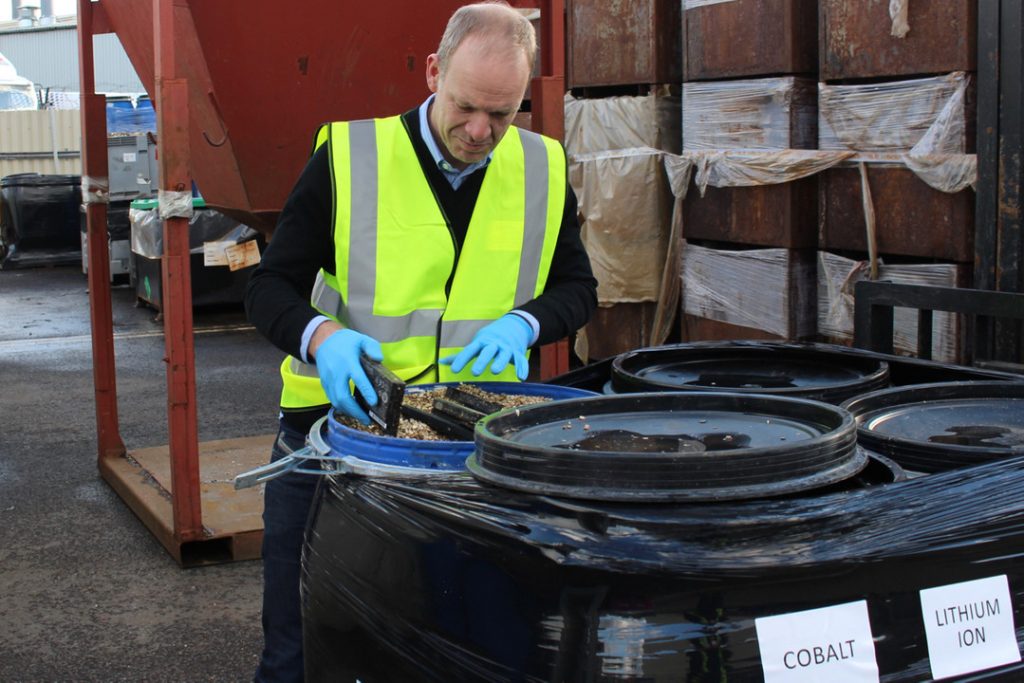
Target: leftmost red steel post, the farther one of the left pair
column 95, row 172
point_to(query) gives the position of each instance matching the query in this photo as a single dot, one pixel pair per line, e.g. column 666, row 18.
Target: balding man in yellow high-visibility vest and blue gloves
column 444, row 243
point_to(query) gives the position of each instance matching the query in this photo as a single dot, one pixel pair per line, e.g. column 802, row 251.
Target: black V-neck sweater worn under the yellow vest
column 278, row 295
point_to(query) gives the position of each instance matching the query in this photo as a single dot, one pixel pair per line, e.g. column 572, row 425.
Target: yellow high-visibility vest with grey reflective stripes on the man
column 396, row 257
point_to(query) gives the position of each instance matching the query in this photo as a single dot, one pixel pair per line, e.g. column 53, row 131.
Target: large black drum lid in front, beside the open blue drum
column 668, row 447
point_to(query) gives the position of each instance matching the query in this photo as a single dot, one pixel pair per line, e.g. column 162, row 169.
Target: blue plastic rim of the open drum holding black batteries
column 442, row 456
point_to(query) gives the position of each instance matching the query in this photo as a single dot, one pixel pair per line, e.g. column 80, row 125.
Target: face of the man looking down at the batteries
column 476, row 100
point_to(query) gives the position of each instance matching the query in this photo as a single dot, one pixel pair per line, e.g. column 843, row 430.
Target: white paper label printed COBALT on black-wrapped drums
column 832, row 645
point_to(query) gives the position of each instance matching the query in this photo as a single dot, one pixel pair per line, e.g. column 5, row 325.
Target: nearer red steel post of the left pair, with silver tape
column 176, row 183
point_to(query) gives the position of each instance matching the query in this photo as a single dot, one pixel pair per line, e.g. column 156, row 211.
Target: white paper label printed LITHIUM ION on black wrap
column 970, row 626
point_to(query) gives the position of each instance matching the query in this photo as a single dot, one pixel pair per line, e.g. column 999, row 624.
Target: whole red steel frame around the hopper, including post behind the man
column 185, row 525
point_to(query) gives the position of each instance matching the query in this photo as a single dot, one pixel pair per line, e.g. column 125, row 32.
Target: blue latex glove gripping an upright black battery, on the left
column 338, row 362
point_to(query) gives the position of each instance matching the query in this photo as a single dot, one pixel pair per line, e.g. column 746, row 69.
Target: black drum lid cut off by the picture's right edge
column 937, row 428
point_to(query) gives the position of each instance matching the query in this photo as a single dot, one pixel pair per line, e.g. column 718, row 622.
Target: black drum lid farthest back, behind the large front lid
column 764, row 368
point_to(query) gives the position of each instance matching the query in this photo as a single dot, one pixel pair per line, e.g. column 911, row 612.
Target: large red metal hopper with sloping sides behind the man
column 264, row 76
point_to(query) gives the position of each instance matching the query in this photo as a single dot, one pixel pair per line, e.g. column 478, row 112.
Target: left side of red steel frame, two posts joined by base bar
column 173, row 105
